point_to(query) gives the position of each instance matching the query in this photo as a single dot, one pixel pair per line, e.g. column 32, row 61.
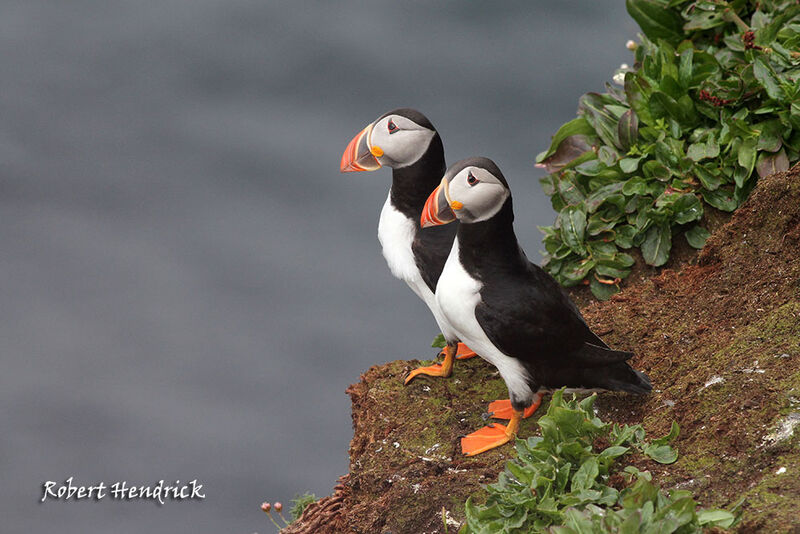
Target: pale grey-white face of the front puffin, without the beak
column 479, row 192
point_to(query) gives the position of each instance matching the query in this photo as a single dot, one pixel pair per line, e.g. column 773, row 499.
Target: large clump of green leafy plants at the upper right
column 712, row 103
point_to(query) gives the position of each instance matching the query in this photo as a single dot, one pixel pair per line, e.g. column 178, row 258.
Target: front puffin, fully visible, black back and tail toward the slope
column 509, row 310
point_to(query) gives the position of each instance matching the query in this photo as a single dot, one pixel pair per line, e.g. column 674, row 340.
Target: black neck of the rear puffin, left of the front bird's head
column 412, row 185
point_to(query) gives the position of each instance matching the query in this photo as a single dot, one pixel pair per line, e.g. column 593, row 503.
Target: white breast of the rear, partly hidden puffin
column 396, row 233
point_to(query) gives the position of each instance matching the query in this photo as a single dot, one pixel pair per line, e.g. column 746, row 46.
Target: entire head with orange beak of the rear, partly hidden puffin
column 397, row 139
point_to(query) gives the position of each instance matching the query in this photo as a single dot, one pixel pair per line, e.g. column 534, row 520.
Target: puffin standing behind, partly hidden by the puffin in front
column 405, row 140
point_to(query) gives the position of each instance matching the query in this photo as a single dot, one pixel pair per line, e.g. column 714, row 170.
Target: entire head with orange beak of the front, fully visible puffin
column 472, row 190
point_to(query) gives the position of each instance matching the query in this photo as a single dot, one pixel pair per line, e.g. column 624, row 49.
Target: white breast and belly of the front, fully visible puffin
column 457, row 295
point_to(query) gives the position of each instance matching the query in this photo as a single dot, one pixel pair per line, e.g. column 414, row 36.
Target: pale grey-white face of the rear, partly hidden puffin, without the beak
column 399, row 141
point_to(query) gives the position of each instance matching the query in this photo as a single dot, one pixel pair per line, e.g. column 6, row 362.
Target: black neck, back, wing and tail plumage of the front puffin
column 528, row 316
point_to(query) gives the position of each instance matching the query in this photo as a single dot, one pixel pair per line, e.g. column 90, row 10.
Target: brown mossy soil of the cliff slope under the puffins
column 720, row 339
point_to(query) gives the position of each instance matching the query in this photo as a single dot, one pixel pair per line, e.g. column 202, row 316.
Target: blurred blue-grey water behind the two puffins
column 188, row 283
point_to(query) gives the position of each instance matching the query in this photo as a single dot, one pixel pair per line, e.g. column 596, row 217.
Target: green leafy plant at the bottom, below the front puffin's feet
column 559, row 482
